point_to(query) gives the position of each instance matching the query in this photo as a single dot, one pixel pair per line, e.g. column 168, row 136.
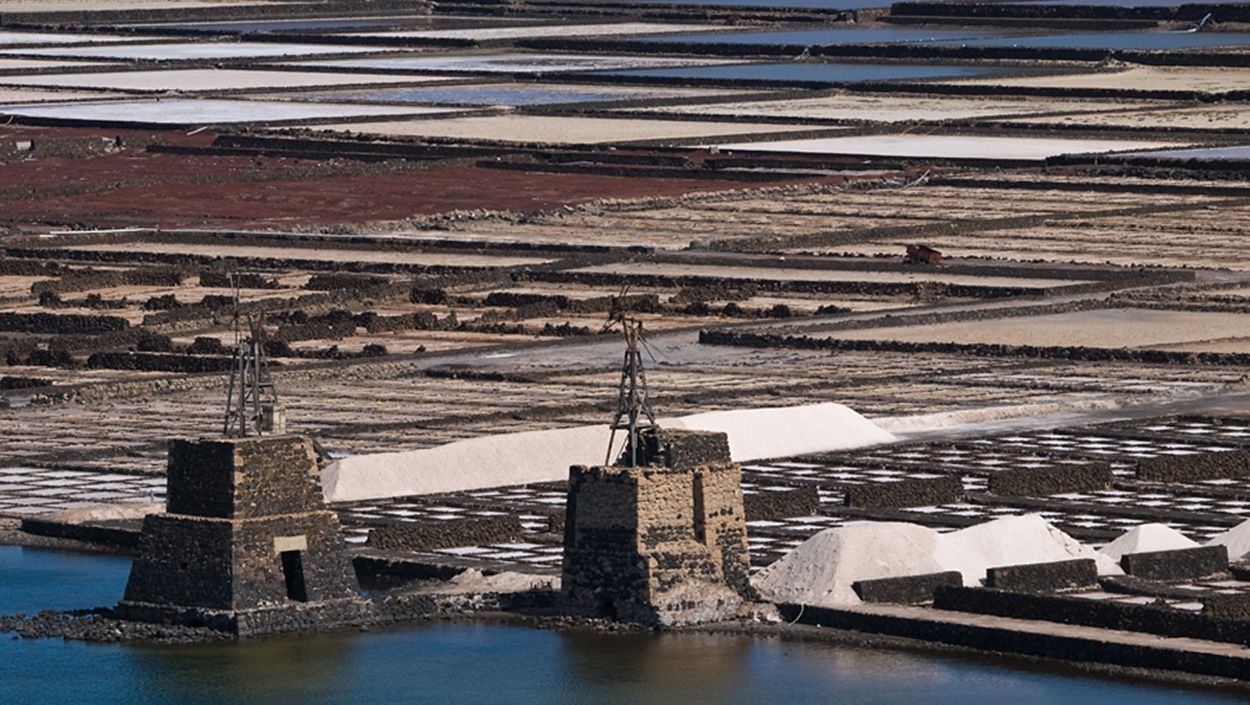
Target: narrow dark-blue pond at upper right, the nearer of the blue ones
column 811, row 73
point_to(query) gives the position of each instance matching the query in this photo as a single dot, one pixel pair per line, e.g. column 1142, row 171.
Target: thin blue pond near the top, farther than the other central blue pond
column 827, row 37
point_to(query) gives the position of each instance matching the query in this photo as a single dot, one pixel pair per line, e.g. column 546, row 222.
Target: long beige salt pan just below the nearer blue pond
column 891, row 108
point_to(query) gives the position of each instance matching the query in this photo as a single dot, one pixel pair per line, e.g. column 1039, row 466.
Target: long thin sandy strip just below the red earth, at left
column 316, row 254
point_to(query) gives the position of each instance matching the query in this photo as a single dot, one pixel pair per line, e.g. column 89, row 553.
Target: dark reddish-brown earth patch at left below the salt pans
column 328, row 201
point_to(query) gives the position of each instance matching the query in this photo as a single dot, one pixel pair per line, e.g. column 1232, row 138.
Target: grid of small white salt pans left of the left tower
column 34, row 492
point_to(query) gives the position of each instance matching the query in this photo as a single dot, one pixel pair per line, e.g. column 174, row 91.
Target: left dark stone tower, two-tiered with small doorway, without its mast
column 246, row 546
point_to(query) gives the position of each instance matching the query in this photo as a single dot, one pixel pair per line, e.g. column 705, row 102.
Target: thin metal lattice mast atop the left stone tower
column 252, row 401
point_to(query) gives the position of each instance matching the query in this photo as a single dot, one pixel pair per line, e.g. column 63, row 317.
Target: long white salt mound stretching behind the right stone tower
column 544, row 457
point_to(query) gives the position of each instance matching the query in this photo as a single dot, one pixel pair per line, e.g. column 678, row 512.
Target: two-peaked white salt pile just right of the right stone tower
column 821, row 572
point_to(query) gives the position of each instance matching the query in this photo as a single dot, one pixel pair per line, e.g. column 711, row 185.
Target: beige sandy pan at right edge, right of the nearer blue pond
column 1207, row 79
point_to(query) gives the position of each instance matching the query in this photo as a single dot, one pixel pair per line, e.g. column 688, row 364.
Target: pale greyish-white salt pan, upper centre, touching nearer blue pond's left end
column 512, row 63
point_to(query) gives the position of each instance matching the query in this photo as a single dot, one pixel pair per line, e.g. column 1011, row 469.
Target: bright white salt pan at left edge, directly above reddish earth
column 189, row 112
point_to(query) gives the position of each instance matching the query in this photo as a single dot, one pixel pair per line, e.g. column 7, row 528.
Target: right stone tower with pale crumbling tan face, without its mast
column 663, row 542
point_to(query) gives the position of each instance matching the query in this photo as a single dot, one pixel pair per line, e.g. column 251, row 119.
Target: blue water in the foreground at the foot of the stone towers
column 462, row 664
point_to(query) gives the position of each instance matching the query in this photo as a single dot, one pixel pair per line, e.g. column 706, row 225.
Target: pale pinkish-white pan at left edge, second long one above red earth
column 208, row 79
